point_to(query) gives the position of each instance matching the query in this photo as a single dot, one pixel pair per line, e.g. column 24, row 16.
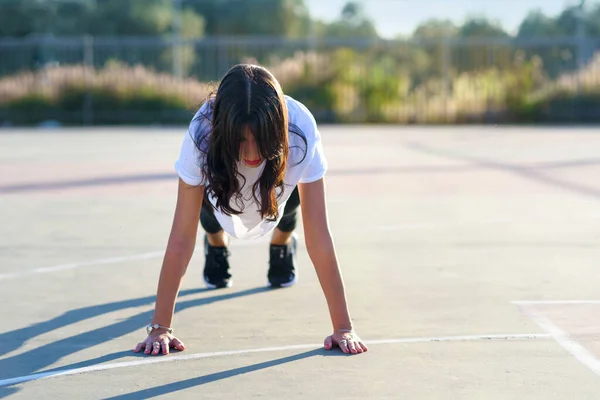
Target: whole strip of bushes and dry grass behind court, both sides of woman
column 341, row 85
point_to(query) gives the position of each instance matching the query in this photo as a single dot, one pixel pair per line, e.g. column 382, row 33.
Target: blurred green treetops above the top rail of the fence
column 287, row 18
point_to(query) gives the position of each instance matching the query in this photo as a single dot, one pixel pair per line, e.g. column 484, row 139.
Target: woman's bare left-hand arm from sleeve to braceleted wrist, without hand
column 180, row 248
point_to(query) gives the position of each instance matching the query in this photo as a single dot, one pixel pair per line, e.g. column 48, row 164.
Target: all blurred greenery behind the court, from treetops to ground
column 341, row 69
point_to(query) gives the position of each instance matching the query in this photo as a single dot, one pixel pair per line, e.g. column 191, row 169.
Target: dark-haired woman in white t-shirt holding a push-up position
column 251, row 157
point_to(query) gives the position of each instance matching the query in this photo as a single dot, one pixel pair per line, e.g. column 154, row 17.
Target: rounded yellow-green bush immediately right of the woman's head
column 342, row 85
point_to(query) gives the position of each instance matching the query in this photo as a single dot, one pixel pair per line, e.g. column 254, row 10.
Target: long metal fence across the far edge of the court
column 151, row 80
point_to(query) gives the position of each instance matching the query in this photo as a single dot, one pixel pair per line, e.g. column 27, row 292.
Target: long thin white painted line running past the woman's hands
column 172, row 358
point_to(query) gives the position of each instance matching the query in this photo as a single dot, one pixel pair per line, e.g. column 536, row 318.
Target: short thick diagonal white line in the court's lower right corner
column 575, row 349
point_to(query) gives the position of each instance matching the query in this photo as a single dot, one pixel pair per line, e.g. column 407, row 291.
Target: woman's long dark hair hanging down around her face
column 248, row 98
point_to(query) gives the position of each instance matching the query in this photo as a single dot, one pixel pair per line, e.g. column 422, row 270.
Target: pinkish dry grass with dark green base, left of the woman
column 114, row 95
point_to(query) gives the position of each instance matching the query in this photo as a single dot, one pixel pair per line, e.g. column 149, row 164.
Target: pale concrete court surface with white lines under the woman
column 470, row 256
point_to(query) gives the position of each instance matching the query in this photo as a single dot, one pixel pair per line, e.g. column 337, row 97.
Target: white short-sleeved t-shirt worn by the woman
column 249, row 224
